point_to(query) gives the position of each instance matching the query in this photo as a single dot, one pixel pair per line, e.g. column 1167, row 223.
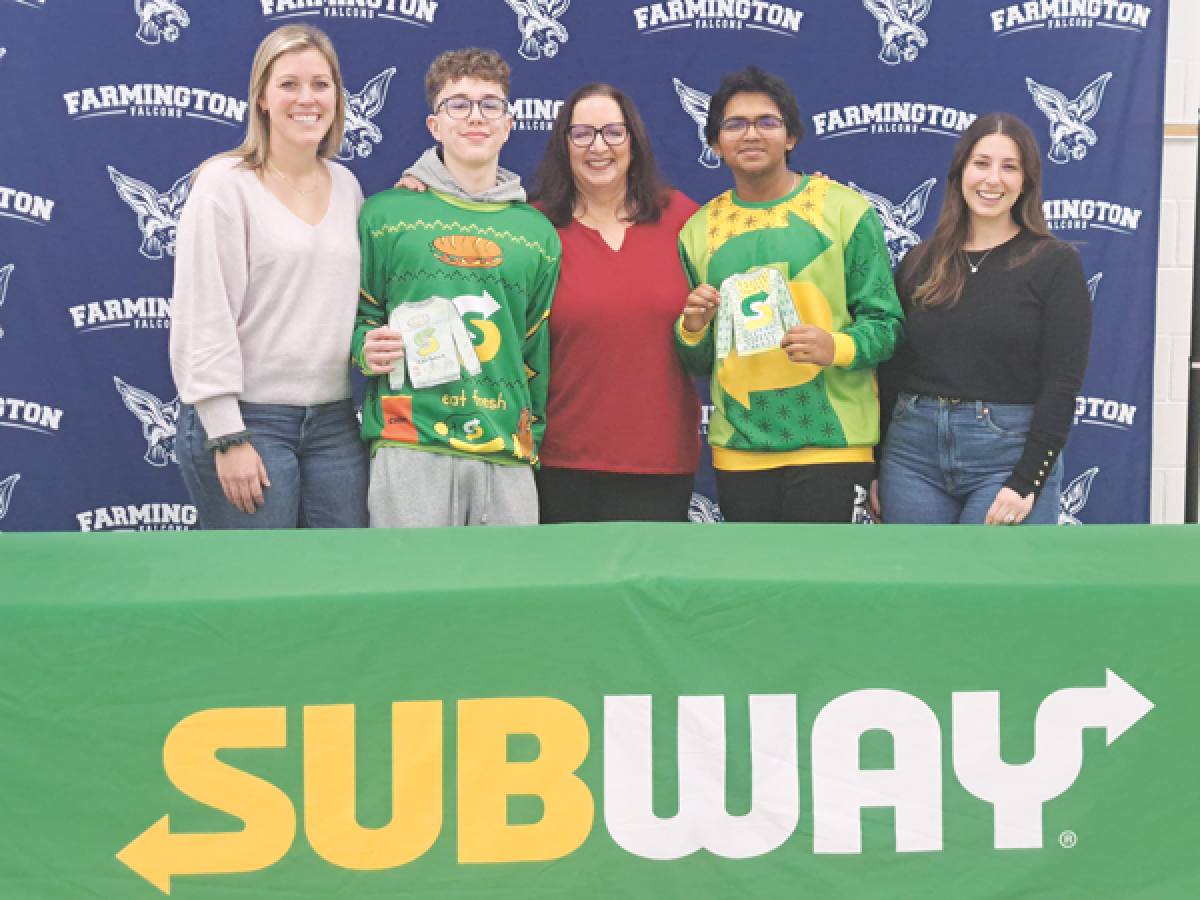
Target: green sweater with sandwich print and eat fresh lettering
column 499, row 263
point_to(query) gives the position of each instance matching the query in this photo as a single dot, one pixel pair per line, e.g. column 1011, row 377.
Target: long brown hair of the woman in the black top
column 940, row 267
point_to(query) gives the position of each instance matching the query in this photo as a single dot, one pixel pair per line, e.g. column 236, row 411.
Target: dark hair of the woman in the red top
column 646, row 193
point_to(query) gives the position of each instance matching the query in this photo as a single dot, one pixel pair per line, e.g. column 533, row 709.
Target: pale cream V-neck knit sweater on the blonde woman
column 265, row 303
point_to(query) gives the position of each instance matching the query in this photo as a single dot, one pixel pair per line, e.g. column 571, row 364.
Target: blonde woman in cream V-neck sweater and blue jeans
column 267, row 277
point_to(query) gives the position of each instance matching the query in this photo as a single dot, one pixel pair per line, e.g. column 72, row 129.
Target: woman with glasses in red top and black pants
column 623, row 419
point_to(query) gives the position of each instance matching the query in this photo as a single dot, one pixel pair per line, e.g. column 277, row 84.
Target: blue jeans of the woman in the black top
column 945, row 461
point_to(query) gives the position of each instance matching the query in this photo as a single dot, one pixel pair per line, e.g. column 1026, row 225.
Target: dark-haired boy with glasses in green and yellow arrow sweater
column 799, row 271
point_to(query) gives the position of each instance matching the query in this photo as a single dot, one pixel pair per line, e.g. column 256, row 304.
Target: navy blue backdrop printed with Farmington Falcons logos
column 107, row 107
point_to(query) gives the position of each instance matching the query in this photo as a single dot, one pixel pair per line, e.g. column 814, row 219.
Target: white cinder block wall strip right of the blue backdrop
column 1175, row 262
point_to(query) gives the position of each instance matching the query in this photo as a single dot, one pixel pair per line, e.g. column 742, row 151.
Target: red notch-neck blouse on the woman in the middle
column 620, row 401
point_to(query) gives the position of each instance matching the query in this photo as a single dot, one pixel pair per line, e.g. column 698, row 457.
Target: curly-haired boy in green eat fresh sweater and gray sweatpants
column 452, row 326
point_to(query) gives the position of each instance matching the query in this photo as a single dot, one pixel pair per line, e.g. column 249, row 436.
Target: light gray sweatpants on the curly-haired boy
column 417, row 489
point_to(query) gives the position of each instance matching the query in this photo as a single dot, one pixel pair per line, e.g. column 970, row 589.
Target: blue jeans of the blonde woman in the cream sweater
column 314, row 457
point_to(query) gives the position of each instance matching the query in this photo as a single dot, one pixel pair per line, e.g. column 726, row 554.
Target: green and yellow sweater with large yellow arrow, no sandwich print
column 827, row 243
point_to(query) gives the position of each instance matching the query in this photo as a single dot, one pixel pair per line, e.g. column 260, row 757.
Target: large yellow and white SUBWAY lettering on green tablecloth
column 487, row 778
